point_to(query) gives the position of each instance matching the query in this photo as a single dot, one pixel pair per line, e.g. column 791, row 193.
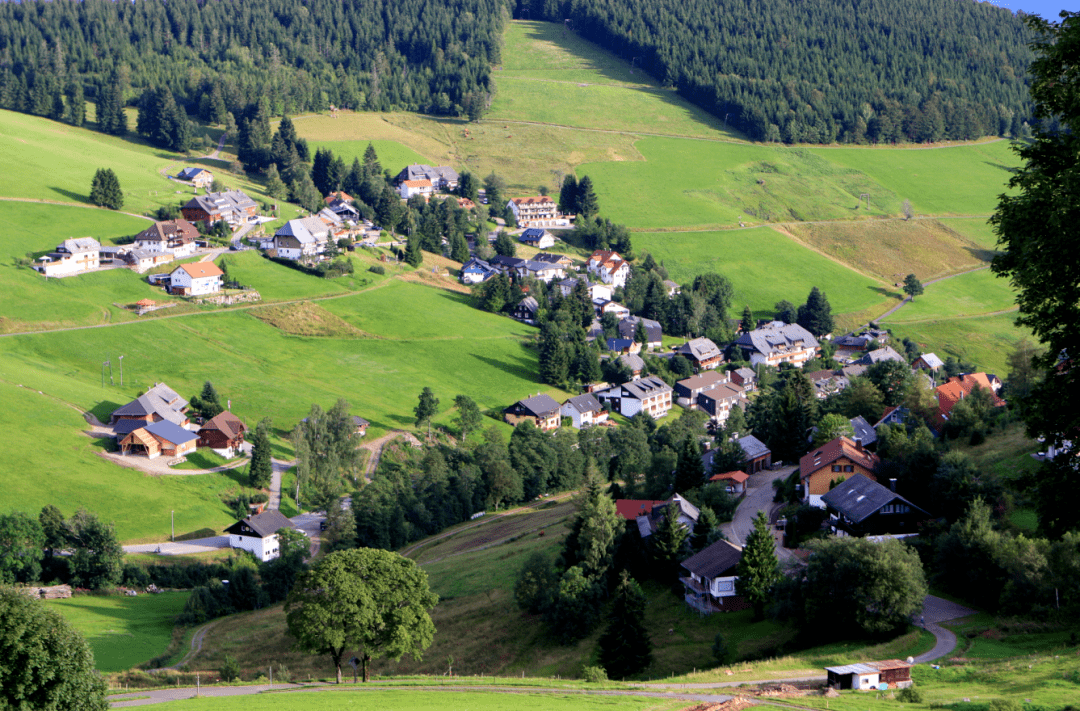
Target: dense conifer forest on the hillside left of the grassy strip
column 215, row 59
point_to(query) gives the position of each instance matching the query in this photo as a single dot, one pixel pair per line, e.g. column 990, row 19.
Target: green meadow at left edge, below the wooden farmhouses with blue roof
column 59, row 465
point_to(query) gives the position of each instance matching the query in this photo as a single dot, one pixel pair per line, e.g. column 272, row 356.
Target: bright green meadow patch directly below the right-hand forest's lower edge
column 952, row 181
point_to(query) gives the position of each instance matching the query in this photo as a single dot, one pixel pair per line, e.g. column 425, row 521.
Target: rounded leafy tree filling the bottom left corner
column 45, row 663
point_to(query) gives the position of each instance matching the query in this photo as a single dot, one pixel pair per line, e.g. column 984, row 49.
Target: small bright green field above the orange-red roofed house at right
column 983, row 341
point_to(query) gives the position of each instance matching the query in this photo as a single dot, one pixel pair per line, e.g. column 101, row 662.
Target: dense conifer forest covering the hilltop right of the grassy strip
column 880, row 73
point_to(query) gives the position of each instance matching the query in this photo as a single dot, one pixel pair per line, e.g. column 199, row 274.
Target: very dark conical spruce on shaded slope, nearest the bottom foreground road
column 625, row 647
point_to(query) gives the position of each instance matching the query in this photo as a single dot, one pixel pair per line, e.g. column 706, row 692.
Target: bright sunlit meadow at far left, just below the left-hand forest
column 58, row 162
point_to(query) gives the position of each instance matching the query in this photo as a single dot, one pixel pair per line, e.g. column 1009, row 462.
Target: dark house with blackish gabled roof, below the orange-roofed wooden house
column 862, row 507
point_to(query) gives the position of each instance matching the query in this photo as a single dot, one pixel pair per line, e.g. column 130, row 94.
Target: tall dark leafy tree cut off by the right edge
column 1036, row 227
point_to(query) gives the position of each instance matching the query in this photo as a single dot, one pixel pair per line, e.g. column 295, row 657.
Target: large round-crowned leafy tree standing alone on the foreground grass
column 370, row 601
